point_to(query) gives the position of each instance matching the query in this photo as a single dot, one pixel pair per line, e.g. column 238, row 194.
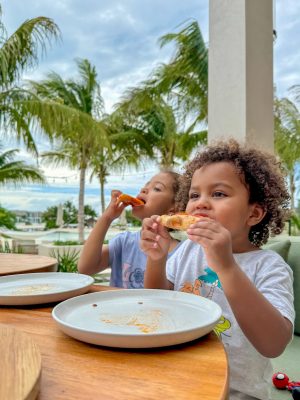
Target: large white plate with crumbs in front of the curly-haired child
column 137, row 318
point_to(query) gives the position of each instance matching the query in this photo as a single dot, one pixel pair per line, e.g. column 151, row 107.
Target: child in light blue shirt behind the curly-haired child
column 123, row 253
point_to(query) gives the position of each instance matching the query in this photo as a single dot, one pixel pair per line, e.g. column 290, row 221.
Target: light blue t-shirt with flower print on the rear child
column 127, row 261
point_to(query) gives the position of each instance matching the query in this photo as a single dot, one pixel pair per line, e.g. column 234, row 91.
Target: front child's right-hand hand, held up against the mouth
column 216, row 242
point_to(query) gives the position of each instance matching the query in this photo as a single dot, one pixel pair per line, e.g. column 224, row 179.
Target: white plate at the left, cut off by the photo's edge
column 42, row 287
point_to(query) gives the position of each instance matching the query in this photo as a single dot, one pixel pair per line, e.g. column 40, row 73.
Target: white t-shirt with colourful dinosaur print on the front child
column 250, row 372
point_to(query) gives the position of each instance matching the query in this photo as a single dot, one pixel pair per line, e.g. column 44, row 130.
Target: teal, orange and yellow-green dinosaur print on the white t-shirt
column 210, row 280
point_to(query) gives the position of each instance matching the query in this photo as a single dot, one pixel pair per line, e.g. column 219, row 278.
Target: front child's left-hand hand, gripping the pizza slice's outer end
column 155, row 239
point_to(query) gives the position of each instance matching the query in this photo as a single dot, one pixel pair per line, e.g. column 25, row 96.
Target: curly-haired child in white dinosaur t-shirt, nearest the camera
column 241, row 196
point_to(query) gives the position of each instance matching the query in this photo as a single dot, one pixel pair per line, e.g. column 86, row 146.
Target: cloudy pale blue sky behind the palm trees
column 120, row 38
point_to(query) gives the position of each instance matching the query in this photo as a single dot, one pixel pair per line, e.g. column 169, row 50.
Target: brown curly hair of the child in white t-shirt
column 261, row 173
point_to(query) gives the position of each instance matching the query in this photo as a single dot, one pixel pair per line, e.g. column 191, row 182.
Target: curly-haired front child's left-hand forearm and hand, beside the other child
column 155, row 243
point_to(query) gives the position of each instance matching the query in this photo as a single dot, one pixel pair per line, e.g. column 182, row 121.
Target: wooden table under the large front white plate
column 77, row 370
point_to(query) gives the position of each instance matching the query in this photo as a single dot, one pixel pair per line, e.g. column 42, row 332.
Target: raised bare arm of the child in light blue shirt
column 94, row 256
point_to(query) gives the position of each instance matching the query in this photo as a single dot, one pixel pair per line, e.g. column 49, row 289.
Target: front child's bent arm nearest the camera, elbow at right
column 263, row 324
